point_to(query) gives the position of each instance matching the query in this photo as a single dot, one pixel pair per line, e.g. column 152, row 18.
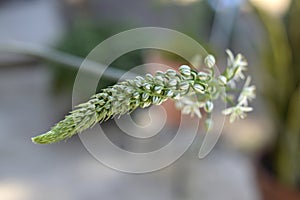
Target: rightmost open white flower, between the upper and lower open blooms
column 247, row 94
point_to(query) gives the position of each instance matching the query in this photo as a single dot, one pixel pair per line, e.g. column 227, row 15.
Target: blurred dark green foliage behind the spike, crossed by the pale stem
column 79, row 40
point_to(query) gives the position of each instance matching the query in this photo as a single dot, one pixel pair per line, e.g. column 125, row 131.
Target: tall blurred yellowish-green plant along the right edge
column 281, row 87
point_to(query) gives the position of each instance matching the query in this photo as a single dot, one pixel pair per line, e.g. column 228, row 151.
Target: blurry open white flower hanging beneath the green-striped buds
column 189, row 106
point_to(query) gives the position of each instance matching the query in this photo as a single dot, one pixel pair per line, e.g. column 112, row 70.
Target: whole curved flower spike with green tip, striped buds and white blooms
column 189, row 88
